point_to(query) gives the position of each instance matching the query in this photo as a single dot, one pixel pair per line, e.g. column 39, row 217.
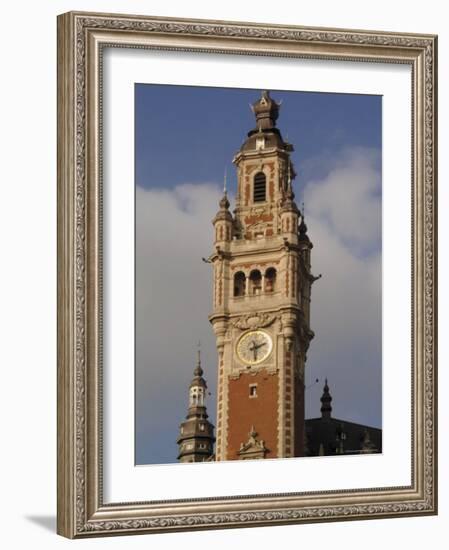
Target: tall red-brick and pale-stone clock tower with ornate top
column 261, row 300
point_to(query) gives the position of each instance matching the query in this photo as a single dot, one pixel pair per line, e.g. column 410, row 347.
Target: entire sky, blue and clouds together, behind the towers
column 185, row 138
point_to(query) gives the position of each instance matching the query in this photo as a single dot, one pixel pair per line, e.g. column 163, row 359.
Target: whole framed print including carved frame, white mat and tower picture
column 246, row 274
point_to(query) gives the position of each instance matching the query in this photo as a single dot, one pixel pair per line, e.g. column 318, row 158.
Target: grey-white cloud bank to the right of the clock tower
column 343, row 216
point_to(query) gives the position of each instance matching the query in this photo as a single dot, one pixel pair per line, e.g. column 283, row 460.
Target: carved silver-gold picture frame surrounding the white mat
column 81, row 38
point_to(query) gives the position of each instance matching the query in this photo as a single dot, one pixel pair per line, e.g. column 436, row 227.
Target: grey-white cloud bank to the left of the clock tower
column 173, row 299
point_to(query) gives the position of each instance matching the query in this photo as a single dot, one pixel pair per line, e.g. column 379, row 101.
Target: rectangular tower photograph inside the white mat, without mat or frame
column 258, row 274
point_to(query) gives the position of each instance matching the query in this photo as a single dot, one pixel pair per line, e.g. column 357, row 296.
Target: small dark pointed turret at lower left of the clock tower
column 196, row 434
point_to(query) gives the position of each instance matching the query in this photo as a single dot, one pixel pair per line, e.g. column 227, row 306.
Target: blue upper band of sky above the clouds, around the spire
column 190, row 134
